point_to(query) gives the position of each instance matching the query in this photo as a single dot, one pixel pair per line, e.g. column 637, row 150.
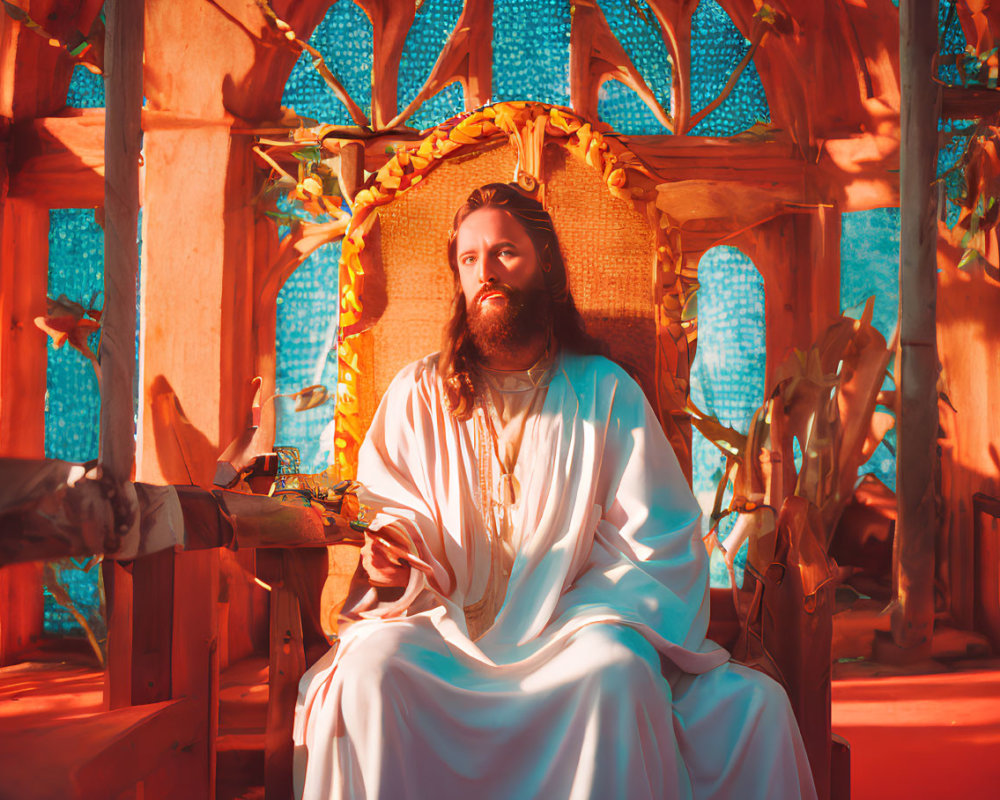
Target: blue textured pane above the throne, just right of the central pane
column 618, row 105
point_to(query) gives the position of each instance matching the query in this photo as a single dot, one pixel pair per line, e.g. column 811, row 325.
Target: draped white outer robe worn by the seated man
column 596, row 680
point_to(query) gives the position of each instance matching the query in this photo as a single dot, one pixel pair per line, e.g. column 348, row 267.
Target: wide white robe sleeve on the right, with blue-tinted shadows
column 647, row 567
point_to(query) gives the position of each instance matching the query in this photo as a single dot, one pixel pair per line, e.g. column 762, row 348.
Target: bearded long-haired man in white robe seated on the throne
column 533, row 619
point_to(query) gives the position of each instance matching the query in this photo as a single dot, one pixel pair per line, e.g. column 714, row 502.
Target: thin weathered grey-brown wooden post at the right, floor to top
column 917, row 413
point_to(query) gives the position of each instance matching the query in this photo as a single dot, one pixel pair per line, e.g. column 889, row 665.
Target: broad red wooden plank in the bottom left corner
column 97, row 756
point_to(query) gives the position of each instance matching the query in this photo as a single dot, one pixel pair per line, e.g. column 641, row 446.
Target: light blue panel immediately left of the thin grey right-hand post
column 869, row 266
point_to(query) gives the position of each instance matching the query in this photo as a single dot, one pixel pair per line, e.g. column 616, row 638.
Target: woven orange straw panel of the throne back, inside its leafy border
column 607, row 245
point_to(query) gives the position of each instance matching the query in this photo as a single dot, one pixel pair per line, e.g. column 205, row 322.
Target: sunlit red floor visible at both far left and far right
column 912, row 736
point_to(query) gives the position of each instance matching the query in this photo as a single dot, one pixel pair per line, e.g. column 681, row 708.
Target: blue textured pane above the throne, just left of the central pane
column 433, row 23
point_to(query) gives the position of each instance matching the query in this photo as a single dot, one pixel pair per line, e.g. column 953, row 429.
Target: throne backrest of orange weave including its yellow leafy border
column 406, row 287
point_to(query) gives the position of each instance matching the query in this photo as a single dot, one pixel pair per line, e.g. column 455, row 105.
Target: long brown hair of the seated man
column 458, row 354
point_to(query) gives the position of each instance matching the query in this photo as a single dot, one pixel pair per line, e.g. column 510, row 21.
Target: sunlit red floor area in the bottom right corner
column 922, row 736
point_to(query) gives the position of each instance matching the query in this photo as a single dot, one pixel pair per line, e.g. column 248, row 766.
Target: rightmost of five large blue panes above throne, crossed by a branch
column 717, row 47
